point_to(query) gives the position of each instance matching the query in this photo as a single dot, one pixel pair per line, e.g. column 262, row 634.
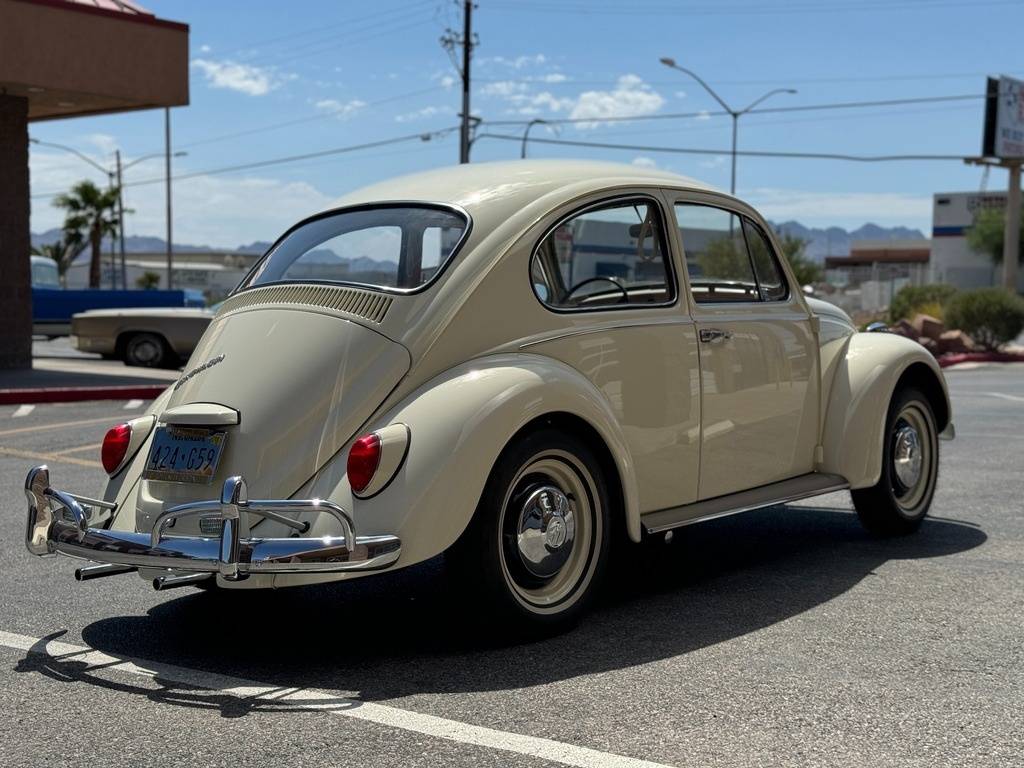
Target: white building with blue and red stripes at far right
column 953, row 261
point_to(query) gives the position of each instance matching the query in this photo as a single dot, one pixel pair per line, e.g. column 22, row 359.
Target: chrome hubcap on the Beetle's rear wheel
column 546, row 532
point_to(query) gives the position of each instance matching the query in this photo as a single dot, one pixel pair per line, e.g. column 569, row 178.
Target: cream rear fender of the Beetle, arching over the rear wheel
column 459, row 423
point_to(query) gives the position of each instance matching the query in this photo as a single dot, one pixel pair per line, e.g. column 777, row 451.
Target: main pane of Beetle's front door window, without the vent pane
column 717, row 262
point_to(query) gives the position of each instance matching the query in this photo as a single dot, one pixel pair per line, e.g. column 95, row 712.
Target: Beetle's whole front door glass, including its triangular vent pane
column 729, row 259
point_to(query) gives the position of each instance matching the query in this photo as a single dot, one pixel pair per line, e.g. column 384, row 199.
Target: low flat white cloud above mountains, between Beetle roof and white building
column 844, row 209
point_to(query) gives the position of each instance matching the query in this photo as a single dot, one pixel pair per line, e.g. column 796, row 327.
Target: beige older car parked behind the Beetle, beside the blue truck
column 151, row 337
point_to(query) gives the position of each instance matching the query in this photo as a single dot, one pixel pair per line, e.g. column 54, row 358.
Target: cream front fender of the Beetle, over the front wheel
column 859, row 403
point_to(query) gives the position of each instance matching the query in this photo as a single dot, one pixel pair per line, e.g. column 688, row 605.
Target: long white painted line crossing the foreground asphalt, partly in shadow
column 394, row 717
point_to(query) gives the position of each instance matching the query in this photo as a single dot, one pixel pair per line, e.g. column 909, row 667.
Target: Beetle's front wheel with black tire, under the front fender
column 897, row 506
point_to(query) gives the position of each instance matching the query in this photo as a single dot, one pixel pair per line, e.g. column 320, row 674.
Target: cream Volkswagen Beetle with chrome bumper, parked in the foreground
column 508, row 364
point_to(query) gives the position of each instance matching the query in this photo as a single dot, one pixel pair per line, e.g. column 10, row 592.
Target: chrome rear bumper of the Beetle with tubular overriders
column 59, row 523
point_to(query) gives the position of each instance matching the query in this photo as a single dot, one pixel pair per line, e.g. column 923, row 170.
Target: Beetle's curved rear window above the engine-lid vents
column 403, row 247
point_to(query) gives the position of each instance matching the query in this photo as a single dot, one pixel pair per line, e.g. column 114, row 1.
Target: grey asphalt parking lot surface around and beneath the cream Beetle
column 781, row 637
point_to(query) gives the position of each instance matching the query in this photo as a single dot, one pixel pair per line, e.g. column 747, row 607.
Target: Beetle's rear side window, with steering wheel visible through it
column 608, row 257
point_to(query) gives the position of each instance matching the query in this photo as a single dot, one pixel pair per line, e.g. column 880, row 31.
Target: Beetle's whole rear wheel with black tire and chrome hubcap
column 544, row 476
